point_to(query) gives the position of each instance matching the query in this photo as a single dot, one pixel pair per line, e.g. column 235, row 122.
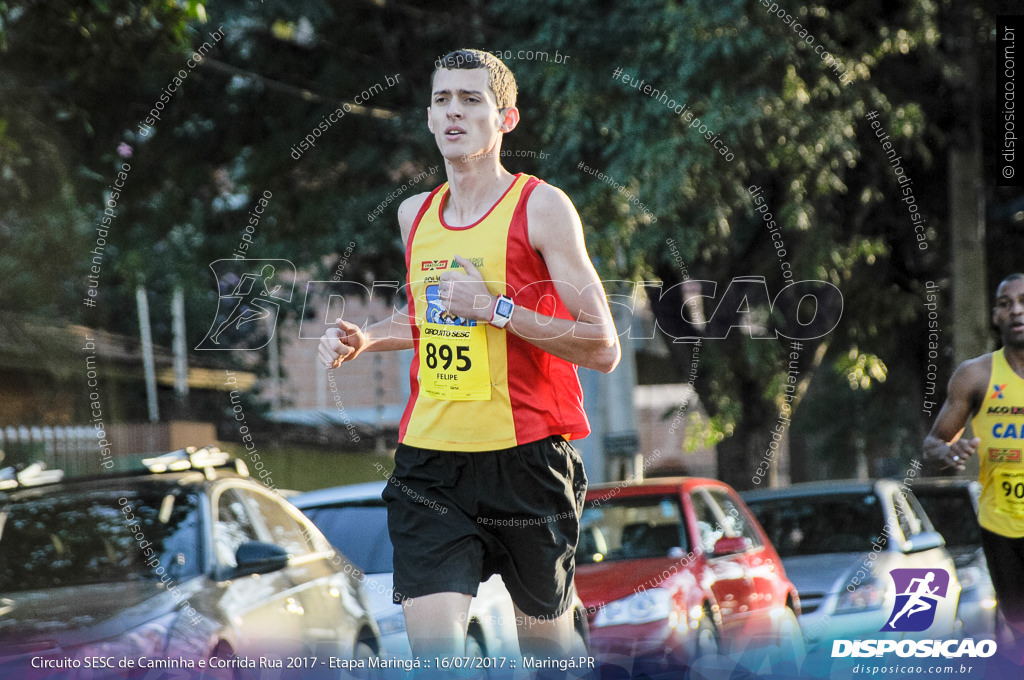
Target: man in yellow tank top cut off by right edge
column 990, row 392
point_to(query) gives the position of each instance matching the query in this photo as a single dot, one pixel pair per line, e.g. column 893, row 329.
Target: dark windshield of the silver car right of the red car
column 816, row 525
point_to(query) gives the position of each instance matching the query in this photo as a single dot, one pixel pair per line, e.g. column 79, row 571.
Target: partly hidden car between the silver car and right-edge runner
column 952, row 504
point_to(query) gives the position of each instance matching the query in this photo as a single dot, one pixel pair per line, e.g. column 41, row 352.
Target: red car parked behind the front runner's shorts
column 674, row 569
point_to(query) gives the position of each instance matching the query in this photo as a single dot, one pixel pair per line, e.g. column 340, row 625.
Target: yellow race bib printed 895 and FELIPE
column 454, row 363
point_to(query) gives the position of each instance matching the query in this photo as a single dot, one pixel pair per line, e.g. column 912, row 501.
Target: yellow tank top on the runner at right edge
column 1000, row 426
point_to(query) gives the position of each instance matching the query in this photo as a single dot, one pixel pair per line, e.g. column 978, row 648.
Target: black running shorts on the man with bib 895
column 458, row 518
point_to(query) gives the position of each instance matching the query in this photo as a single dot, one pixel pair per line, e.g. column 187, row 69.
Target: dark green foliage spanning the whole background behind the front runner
column 80, row 79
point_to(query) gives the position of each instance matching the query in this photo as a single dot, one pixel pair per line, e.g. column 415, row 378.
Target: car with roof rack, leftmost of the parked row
column 189, row 560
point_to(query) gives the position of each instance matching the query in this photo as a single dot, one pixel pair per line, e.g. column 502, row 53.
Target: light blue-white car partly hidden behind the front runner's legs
column 355, row 520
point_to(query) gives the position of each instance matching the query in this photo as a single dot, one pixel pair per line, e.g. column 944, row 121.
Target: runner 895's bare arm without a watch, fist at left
column 348, row 342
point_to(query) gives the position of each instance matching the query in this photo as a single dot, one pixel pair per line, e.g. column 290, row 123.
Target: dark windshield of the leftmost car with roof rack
column 82, row 538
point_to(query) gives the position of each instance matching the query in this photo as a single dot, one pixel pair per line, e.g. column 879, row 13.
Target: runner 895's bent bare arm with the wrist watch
column 589, row 339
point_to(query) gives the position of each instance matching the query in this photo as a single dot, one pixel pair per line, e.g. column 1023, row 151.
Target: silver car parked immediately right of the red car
column 827, row 534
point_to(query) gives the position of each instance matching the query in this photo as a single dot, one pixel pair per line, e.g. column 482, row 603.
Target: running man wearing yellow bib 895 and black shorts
column 504, row 305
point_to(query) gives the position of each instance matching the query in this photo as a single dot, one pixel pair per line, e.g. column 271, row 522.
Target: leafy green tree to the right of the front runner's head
column 796, row 125
